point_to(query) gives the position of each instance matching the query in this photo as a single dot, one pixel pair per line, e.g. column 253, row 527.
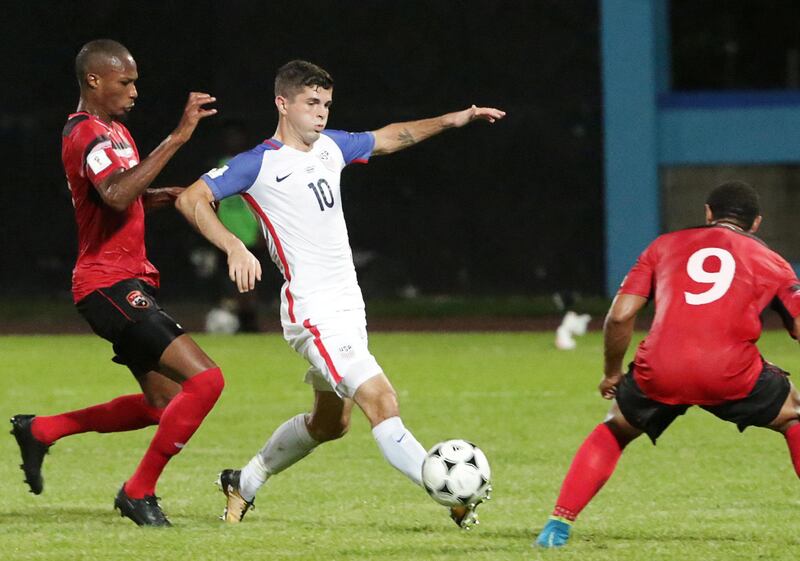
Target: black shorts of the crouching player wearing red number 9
column 757, row 409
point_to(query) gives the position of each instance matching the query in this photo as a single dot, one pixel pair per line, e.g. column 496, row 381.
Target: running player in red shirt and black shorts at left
column 114, row 285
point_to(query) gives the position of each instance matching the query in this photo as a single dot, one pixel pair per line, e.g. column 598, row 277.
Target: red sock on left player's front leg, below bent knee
column 180, row 420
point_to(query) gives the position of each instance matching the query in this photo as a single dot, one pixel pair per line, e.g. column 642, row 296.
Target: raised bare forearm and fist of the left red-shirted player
column 123, row 187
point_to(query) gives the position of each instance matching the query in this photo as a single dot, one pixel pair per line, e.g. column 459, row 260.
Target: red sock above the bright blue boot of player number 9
column 592, row 466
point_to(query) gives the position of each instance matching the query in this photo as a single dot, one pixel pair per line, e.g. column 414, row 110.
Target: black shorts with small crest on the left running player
column 128, row 315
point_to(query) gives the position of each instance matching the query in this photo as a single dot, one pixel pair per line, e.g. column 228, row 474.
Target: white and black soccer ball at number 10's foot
column 456, row 472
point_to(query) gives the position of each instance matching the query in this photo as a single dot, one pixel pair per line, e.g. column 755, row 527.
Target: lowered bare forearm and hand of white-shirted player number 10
column 195, row 205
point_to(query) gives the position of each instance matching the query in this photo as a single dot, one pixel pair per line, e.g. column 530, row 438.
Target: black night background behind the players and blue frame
column 514, row 208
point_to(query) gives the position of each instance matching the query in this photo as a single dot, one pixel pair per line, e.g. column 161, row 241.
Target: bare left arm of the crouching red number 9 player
column 617, row 332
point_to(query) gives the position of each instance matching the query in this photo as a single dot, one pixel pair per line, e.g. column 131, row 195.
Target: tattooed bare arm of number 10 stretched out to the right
column 397, row 136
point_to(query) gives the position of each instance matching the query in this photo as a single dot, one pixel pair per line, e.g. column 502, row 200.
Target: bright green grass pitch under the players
column 705, row 492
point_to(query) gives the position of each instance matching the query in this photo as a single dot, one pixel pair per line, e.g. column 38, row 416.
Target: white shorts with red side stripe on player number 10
column 337, row 350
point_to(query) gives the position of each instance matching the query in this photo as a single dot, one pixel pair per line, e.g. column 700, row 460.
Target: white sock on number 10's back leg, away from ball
column 289, row 443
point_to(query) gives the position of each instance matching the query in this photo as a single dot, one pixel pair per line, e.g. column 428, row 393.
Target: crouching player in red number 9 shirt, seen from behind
column 710, row 286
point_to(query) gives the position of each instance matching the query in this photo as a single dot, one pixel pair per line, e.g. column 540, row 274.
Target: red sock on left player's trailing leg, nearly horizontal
column 127, row 412
